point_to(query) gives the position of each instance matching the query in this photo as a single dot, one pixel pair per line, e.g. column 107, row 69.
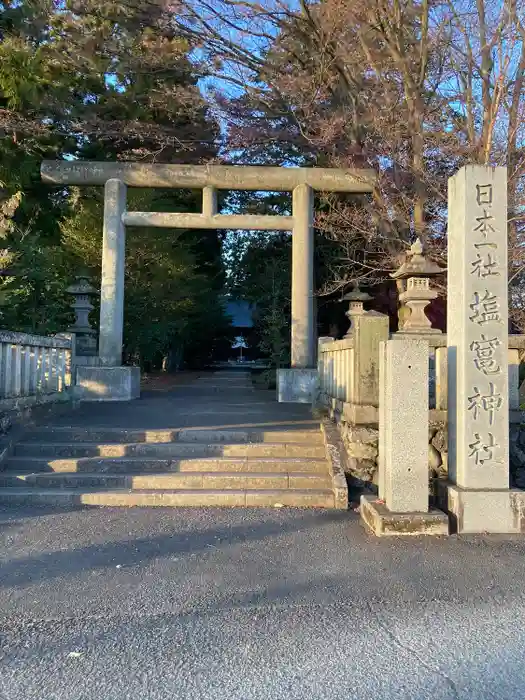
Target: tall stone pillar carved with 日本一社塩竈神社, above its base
column 477, row 329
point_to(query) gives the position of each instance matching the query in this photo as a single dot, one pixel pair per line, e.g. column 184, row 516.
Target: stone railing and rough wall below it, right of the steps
column 349, row 390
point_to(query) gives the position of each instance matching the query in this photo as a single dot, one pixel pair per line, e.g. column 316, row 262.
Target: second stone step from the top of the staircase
column 168, row 450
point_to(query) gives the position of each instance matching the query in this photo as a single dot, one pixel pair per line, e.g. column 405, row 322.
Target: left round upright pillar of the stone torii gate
column 112, row 286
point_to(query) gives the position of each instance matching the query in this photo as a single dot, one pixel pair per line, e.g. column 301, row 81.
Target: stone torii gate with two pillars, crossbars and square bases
column 110, row 381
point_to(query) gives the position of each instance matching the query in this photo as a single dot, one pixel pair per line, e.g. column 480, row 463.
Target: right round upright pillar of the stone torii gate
column 303, row 325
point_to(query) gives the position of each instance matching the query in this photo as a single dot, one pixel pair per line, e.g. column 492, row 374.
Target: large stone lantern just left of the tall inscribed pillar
column 417, row 270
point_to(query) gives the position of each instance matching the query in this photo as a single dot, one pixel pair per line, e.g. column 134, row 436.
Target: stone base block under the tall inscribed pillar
column 482, row 510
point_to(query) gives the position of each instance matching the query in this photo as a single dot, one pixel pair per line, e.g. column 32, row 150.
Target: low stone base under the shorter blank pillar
column 383, row 522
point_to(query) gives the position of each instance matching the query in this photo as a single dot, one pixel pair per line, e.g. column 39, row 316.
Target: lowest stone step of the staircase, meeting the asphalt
column 297, row 498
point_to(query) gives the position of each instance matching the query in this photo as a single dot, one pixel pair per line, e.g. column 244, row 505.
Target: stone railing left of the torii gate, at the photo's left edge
column 34, row 368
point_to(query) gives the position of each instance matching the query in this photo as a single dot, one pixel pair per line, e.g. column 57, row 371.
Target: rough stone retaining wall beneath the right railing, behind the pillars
column 361, row 443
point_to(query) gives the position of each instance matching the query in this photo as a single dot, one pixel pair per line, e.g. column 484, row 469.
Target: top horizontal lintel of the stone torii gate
column 221, row 177
